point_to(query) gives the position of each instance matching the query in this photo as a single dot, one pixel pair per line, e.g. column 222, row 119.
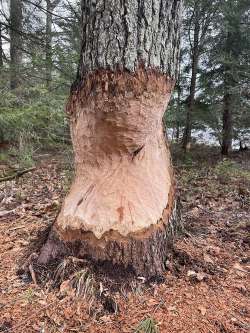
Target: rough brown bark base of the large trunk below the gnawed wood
column 143, row 253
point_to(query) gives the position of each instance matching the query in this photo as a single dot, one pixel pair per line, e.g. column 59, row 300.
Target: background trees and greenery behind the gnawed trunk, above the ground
column 39, row 48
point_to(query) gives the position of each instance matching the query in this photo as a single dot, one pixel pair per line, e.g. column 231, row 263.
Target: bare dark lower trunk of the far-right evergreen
column 227, row 125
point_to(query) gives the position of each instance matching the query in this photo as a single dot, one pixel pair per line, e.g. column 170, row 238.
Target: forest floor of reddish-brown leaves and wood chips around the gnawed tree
column 206, row 286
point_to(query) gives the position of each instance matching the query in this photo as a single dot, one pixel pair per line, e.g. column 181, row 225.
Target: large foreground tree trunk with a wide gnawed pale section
column 122, row 205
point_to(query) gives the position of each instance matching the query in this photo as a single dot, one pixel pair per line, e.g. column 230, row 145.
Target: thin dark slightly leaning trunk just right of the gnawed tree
column 191, row 99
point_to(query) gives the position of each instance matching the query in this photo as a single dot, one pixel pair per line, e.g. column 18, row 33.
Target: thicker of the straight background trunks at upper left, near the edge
column 15, row 43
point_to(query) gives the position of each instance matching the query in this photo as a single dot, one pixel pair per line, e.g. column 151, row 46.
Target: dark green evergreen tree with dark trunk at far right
column 227, row 68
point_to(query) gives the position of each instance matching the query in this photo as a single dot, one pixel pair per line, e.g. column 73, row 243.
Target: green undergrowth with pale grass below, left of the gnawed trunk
column 32, row 121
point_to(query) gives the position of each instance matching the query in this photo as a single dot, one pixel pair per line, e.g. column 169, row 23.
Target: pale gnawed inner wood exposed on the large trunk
column 123, row 166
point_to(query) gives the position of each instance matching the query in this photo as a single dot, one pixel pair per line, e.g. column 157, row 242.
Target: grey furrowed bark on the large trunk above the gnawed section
column 127, row 33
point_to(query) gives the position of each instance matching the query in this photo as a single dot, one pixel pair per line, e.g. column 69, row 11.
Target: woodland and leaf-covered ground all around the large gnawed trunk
column 206, row 287
